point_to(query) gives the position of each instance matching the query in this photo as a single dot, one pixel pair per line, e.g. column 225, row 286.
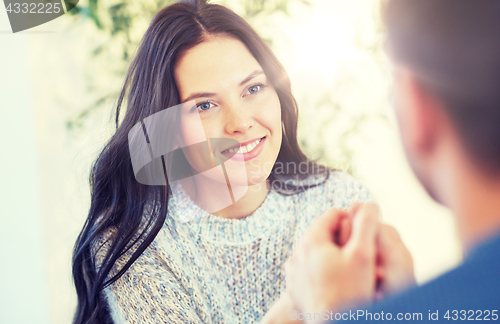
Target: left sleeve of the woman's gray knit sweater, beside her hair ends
column 149, row 292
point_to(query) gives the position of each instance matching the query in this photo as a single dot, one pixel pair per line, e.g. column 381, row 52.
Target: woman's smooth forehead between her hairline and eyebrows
column 219, row 61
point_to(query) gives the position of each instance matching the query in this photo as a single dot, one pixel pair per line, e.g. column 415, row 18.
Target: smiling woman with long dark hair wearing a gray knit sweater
column 150, row 253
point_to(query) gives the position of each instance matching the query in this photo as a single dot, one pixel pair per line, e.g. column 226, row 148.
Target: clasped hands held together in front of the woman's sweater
column 345, row 259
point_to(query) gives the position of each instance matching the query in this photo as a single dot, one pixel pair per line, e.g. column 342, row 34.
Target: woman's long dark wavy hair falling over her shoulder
column 118, row 200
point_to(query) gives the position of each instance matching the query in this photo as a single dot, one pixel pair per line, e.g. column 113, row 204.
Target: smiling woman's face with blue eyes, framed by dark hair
column 234, row 101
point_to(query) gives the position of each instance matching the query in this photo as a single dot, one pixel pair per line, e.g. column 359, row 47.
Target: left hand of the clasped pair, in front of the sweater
column 322, row 275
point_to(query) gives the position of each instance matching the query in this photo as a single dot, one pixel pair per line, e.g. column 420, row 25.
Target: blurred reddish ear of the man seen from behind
column 418, row 112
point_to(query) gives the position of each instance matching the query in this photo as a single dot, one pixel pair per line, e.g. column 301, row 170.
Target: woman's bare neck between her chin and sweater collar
column 203, row 194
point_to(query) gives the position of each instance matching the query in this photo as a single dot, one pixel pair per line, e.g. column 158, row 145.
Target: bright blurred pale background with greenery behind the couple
column 58, row 88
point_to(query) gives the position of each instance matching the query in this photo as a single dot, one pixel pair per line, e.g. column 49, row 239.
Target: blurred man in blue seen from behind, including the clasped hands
column 446, row 56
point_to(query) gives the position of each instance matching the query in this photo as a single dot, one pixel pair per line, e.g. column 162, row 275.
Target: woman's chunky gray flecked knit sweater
column 218, row 270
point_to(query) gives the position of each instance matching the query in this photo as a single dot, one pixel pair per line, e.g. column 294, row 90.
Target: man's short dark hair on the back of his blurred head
column 453, row 48
